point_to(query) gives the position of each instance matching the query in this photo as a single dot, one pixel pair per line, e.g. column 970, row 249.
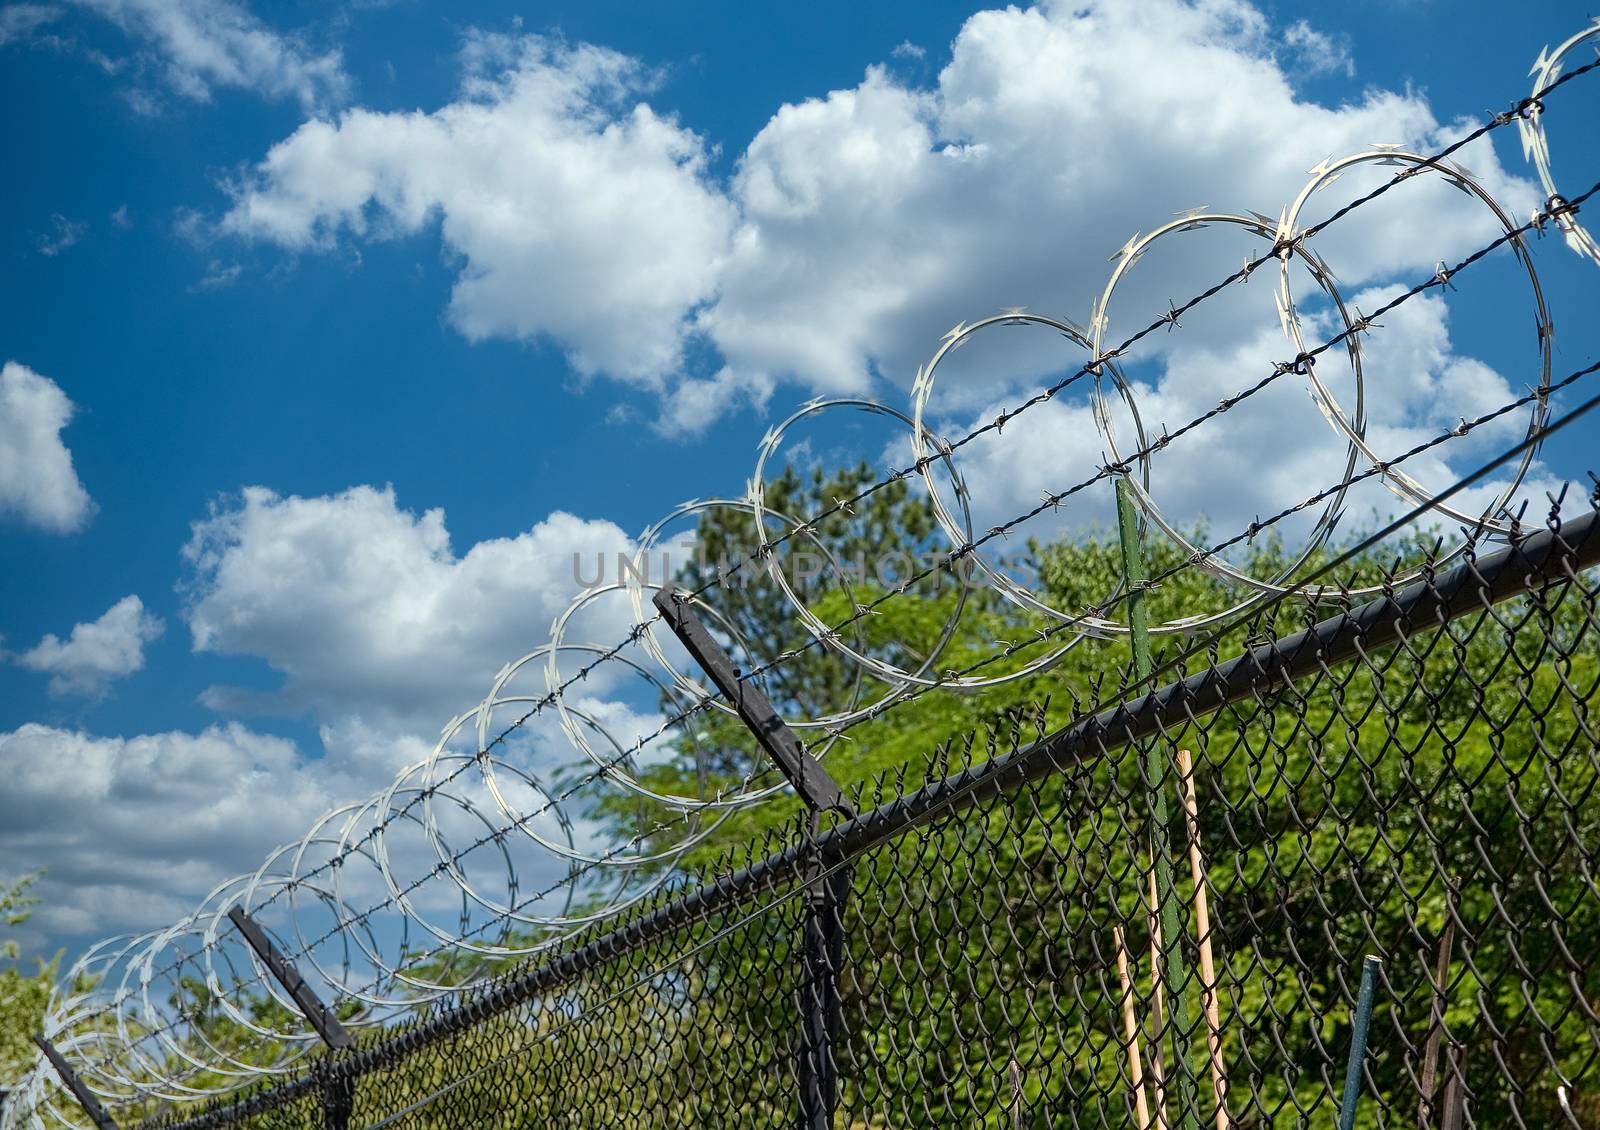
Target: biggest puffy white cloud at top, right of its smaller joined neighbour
column 879, row 217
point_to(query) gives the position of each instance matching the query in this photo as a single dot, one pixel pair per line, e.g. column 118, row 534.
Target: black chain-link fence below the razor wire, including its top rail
column 1412, row 777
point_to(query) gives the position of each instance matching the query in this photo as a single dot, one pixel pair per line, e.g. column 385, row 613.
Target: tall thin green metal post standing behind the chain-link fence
column 1161, row 779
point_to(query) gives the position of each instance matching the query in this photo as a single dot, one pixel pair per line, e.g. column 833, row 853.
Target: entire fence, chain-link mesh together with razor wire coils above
column 1002, row 945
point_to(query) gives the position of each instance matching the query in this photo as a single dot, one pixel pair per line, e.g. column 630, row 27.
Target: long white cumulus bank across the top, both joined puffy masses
column 858, row 225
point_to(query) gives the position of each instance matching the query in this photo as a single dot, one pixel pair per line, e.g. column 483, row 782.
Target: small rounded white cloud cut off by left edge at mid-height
column 38, row 481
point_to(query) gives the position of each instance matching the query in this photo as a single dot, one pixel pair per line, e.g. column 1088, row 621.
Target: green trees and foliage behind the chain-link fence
column 1447, row 779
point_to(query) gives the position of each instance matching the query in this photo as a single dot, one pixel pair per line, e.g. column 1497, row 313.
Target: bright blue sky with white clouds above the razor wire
column 282, row 249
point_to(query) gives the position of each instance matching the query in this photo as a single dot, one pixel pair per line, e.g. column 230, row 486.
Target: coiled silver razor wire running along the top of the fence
column 79, row 1019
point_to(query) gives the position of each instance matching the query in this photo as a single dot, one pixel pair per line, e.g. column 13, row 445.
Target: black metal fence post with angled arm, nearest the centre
column 823, row 942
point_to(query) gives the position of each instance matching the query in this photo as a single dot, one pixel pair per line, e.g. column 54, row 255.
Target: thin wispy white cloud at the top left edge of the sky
column 201, row 46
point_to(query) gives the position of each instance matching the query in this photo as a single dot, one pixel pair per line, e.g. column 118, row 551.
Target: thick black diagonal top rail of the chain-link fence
column 1542, row 559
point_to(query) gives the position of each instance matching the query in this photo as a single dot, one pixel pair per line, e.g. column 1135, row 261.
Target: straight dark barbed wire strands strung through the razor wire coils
column 74, row 1009
